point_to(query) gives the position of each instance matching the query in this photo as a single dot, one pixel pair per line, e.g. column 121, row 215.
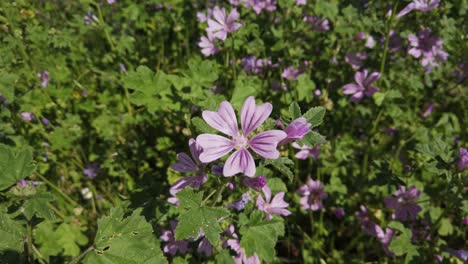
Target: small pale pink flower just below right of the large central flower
column 275, row 206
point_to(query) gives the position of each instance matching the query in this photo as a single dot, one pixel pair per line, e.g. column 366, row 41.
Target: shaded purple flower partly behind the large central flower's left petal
column 187, row 164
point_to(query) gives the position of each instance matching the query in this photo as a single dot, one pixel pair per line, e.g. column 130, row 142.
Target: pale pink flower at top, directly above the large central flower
column 221, row 24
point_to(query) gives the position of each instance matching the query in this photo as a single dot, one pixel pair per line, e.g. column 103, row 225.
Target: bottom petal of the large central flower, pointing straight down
column 239, row 161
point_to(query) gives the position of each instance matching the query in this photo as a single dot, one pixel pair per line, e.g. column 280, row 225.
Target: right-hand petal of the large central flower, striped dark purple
column 265, row 143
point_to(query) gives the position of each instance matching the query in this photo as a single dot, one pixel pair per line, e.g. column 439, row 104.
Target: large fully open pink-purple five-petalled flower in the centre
column 225, row 121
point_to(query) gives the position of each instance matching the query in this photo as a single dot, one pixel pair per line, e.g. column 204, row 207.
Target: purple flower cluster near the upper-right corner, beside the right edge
column 428, row 47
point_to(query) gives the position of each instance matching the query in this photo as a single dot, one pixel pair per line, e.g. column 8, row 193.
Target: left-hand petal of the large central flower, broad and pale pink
column 214, row 147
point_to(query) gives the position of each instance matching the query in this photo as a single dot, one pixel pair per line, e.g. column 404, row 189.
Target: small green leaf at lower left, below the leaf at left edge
column 39, row 205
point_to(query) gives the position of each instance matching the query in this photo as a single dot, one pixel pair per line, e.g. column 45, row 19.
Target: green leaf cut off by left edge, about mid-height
column 15, row 165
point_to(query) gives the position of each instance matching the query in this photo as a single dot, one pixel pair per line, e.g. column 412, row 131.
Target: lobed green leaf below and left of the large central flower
column 195, row 216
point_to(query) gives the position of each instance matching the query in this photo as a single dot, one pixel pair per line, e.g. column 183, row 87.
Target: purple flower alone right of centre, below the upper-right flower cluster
column 363, row 86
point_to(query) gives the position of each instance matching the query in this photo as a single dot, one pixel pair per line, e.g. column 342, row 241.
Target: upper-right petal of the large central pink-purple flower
column 252, row 116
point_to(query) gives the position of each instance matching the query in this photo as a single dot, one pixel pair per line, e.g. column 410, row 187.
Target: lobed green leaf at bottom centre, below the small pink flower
column 260, row 236
